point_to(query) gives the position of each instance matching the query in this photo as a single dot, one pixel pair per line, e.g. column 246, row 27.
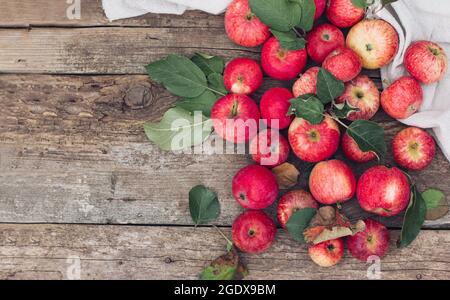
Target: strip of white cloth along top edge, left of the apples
column 121, row 9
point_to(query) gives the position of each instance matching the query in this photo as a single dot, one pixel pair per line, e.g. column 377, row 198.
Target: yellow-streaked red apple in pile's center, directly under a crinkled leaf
column 313, row 143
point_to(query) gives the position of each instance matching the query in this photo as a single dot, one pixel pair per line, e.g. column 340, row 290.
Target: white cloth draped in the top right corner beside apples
column 423, row 20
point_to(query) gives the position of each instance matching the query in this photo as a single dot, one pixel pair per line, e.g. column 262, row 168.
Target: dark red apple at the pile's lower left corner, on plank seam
column 253, row 231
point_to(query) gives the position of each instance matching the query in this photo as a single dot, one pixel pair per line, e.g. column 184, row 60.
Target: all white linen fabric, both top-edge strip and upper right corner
column 413, row 19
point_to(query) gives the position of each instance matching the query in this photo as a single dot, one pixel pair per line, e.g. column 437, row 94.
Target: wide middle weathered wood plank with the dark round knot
column 72, row 150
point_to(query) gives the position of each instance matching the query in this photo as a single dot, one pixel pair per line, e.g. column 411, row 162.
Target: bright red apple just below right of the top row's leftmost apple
column 282, row 64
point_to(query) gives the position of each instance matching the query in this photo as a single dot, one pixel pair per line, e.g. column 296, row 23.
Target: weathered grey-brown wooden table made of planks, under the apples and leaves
column 80, row 183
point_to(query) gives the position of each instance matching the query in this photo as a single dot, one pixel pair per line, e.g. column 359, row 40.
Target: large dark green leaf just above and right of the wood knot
column 179, row 75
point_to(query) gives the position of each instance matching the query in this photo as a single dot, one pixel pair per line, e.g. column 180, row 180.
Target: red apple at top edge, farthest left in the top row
column 243, row 27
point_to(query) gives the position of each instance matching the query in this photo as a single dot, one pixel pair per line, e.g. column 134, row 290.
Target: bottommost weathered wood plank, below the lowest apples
column 122, row 252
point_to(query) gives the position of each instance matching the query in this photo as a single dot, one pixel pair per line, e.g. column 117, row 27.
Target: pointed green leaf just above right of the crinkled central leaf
column 328, row 86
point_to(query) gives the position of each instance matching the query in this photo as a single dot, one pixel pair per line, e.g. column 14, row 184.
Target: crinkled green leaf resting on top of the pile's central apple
column 308, row 107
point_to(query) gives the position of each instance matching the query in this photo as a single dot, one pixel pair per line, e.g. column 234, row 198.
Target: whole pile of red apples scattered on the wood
column 385, row 191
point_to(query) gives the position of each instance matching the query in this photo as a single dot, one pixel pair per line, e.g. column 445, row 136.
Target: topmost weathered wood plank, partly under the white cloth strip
column 55, row 13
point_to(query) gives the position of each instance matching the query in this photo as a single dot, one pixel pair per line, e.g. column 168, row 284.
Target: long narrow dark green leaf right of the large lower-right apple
column 413, row 220
